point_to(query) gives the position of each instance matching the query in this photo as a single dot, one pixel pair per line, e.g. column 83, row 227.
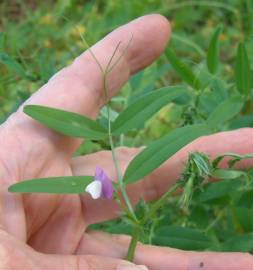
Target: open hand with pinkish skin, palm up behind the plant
column 49, row 231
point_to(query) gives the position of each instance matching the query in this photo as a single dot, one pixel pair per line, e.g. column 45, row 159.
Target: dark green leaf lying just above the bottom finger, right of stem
column 182, row 238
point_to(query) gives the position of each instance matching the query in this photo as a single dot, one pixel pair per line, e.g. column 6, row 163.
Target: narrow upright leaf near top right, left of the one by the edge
column 213, row 52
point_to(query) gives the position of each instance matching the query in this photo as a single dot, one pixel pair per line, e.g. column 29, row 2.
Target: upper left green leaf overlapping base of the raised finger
column 67, row 123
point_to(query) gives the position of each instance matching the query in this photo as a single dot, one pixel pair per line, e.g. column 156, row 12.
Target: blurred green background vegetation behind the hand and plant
column 37, row 38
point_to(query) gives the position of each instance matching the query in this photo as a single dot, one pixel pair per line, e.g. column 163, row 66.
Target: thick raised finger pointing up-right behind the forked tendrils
column 79, row 87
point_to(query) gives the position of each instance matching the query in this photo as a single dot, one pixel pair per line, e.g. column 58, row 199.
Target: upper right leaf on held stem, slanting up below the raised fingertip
column 143, row 108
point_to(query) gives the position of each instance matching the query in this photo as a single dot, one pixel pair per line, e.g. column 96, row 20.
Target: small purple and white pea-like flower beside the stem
column 101, row 186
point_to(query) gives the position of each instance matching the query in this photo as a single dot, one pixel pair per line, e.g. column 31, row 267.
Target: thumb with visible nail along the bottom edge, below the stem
column 88, row 262
